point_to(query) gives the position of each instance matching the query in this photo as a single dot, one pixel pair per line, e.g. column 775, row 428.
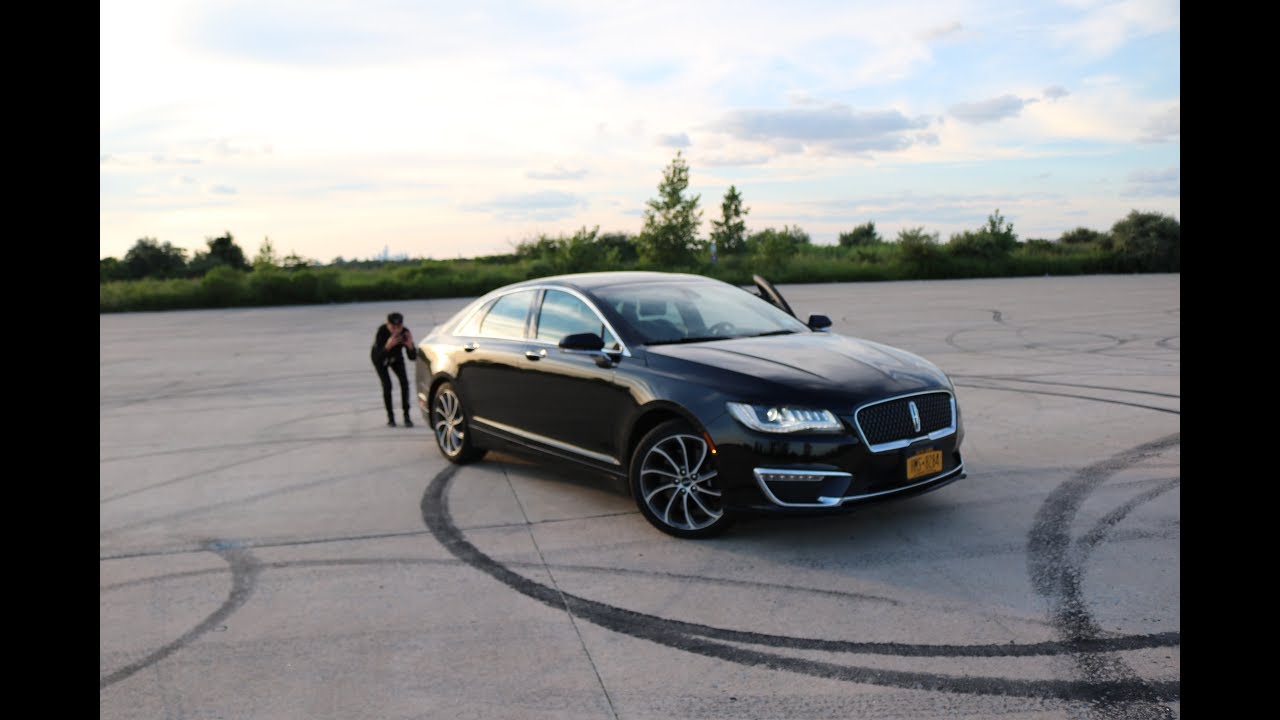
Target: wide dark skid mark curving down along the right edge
column 1057, row 573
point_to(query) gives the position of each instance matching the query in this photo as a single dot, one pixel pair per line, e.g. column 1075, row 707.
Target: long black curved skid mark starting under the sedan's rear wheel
column 701, row 640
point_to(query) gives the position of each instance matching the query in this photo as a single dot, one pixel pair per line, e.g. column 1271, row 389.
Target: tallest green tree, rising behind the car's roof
column 670, row 235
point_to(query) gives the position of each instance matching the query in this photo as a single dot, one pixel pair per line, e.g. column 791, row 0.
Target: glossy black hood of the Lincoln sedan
column 824, row 364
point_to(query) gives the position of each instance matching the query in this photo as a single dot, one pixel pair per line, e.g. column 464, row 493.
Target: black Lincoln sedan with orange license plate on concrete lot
column 711, row 400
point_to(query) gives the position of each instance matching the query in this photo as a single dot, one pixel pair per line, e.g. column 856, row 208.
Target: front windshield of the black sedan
column 696, row 312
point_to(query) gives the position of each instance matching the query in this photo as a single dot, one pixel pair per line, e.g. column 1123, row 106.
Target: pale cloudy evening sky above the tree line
column 415, row 129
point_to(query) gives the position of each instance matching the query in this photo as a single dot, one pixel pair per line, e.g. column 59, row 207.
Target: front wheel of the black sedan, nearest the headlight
column 674, row 484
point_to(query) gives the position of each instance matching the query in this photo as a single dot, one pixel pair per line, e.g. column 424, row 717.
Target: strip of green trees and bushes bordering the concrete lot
column 156, row 276
